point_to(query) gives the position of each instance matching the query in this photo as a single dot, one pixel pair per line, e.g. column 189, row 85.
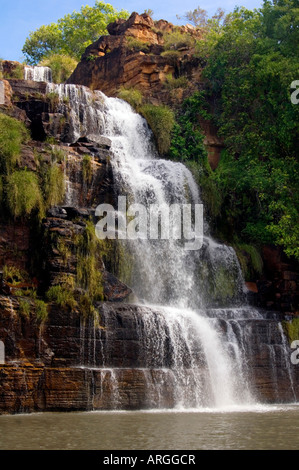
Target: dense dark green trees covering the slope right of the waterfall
column 250, row 62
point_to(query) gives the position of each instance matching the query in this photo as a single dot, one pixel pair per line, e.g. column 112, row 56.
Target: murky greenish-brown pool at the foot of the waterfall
column 266, row 428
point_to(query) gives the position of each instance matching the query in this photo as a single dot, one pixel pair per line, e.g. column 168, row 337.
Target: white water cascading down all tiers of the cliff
column 193, row 333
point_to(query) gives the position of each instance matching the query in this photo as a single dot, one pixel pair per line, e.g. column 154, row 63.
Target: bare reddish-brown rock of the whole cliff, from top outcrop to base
column 74, row 361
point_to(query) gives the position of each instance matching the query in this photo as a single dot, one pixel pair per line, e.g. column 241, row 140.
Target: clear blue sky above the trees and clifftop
column 19, row 17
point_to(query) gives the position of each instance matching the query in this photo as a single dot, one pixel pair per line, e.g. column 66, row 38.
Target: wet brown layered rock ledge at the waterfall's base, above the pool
column 70, row 363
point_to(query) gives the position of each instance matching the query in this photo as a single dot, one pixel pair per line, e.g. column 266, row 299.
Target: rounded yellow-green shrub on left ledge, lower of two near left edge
column 23, row 194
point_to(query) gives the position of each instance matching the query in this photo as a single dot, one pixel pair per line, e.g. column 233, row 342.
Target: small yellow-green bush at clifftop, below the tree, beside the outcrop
column 62, row 66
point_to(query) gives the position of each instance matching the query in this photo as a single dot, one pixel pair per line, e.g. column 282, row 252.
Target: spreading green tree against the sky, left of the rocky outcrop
column 72, row 33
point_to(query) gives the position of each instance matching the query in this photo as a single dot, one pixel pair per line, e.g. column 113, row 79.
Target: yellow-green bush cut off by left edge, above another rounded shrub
column 13, row 134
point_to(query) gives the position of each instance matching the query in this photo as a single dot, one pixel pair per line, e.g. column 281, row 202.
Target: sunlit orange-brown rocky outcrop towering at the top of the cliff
column 131, row 57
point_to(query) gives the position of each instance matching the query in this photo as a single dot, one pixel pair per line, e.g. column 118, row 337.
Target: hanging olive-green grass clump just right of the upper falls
column 161, row 120
